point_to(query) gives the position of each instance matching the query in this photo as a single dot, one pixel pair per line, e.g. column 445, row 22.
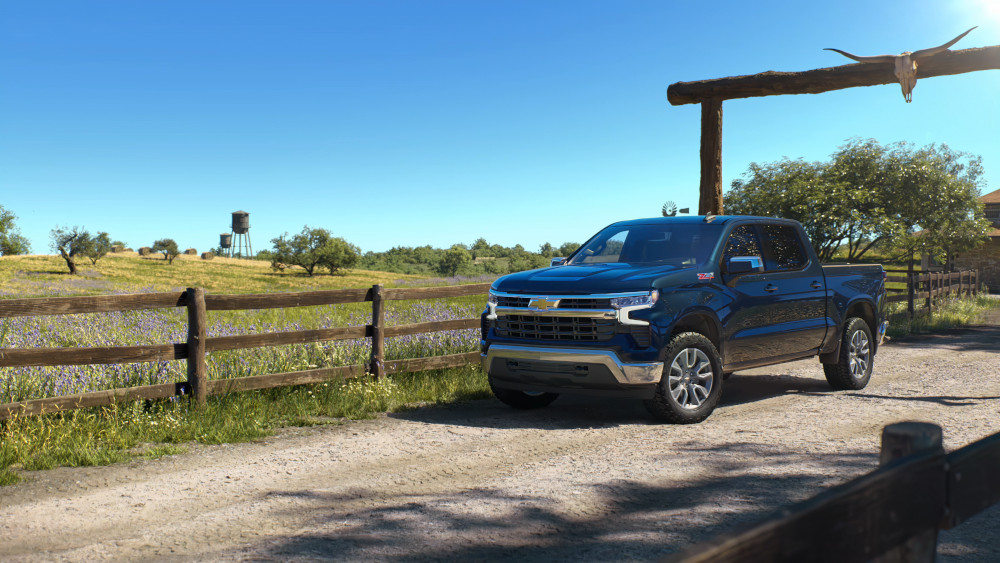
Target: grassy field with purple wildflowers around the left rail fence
column 144, row 429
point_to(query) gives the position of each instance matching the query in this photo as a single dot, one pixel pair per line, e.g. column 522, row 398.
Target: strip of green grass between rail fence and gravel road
column 105, row 435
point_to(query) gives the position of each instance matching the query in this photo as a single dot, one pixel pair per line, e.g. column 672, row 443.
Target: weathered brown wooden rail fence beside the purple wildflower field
column 198, row 344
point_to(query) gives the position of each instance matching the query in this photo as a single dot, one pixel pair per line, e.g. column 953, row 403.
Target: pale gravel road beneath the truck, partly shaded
column 585, row 479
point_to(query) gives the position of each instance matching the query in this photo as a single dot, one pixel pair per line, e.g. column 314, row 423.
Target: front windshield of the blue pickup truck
column 678, row 244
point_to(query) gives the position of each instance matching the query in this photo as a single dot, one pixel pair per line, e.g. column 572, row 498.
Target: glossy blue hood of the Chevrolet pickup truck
column 583, row 279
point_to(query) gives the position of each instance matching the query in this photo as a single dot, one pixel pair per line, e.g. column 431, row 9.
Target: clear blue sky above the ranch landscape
column 404, row 123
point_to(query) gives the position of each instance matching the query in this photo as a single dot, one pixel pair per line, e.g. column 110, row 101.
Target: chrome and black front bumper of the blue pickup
column 570, row 364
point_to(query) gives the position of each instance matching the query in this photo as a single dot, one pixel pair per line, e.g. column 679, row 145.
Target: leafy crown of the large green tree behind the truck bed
column 870, row 195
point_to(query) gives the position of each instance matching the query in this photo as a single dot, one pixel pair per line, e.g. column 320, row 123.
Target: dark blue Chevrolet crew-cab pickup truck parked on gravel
column 665, row 309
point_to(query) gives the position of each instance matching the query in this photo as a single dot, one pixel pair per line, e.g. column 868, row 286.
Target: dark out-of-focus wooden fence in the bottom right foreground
column 891, row 514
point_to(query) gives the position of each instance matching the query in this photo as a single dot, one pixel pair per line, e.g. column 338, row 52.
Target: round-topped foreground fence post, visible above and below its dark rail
column 900, row 440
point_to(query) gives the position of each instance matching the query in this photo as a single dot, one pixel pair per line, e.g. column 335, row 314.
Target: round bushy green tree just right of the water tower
column 313, row 248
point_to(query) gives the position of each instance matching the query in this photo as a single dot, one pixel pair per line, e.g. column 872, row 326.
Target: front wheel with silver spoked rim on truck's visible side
column 691, row 383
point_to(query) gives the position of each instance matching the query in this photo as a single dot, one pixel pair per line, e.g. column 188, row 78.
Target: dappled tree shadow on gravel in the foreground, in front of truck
column 618, row 520
